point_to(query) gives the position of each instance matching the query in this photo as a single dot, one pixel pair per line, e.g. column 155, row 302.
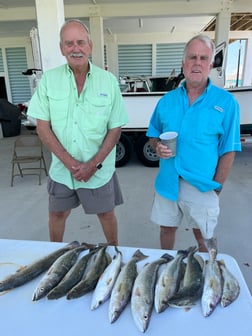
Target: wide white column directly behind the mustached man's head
column 50, row 18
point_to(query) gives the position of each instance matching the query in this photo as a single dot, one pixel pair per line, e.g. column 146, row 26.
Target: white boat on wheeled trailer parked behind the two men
column 140, row 102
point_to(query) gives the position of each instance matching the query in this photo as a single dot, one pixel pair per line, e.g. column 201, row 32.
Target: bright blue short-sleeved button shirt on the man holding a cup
column 207, row 129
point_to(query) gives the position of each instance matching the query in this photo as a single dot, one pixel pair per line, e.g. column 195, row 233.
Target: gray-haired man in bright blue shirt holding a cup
column 207, row 120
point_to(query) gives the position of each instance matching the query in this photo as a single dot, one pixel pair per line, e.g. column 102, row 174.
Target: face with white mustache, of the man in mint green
column 75, row 45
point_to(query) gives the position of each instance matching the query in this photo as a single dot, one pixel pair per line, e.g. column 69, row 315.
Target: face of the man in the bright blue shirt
column 197, row 64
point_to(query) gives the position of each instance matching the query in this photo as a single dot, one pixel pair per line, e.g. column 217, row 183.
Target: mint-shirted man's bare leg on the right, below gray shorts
column 109, row 225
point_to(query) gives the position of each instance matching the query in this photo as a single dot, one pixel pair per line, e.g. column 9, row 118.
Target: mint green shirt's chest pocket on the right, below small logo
column 96, row 114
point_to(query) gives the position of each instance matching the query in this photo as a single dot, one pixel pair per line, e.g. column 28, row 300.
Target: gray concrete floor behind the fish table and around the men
column 24, row 210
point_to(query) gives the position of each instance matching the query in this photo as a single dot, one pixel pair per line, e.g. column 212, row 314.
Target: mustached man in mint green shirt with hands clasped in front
column 80, row 111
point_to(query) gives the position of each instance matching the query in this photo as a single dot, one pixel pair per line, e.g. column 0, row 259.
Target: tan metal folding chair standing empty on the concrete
column 28, row 150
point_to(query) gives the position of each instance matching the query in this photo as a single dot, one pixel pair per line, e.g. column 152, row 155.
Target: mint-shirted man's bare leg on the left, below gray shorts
column 57, row 222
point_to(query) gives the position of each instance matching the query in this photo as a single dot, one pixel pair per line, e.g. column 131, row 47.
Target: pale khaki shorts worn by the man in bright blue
column 197, row 210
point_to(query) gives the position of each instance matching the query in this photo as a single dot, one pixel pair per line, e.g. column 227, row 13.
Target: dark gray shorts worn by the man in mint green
column 93, row 201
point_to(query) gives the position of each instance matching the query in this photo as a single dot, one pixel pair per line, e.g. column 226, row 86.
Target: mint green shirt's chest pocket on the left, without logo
column 58, row 102
